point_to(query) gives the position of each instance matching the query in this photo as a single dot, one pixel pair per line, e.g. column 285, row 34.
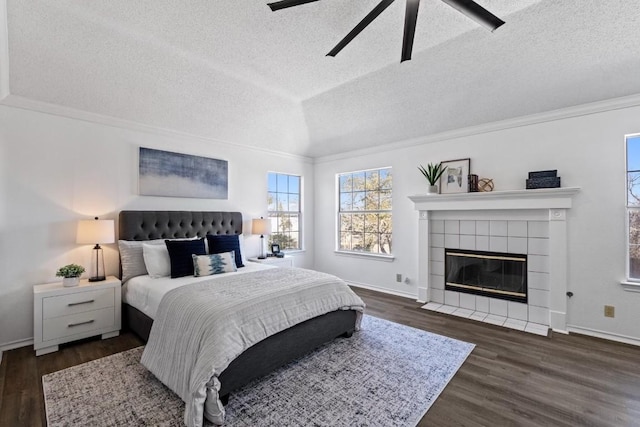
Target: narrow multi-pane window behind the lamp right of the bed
column 284, row 210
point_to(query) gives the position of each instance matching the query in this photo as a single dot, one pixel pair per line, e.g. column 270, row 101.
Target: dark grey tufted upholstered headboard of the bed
column 149, row 225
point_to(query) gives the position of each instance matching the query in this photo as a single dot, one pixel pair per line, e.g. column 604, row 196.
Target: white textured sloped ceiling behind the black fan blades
column 235, row 71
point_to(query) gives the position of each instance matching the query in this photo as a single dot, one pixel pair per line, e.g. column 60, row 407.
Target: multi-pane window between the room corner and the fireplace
column 364, row 214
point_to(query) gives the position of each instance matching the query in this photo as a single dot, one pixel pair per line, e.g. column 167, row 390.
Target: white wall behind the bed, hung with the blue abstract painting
column 55, row 170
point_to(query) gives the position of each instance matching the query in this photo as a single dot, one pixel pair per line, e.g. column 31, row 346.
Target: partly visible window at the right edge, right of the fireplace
column 633, row 206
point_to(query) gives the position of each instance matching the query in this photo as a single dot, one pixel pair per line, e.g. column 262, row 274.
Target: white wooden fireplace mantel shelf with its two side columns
column 555, row 201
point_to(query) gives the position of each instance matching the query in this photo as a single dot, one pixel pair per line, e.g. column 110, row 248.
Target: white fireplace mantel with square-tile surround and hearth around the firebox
column 532, row 222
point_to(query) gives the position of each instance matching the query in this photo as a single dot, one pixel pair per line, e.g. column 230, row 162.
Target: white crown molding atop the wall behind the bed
column 24, row 103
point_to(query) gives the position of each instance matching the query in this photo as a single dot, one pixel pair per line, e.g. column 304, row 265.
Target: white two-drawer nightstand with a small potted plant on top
column 62, row 314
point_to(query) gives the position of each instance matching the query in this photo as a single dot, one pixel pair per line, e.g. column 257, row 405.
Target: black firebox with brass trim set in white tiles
column 493, row 274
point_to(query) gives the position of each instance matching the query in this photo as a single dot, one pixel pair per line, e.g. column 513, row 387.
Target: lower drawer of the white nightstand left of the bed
column 77, row 323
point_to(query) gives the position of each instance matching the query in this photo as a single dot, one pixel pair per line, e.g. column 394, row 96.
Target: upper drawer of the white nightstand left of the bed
column 78, row 302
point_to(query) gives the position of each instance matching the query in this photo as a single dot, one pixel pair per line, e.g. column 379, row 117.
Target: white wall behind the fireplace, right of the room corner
column 588, row 152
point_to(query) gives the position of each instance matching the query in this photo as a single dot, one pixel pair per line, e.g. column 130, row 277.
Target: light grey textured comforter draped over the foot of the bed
column 199, row 329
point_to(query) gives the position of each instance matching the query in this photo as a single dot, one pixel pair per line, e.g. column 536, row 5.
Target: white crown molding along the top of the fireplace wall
column 548, row 116
